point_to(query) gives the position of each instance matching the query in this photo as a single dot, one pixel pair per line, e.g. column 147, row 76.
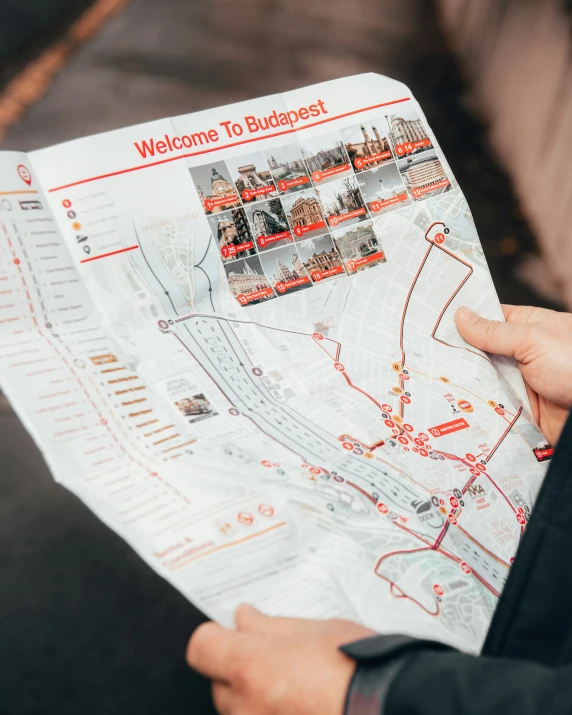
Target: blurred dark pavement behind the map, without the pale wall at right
column 85, row 626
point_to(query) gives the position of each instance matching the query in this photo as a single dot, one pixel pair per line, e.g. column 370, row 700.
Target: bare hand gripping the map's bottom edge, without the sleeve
column 276, row 666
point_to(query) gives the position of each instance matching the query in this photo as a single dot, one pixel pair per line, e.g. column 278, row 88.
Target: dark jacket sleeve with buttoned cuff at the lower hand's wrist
column 414, row 677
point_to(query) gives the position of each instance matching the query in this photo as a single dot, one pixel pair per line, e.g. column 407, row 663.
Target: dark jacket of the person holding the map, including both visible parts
column 526, row 662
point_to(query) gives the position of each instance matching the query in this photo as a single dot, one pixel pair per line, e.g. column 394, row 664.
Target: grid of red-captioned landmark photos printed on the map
column 292, row 217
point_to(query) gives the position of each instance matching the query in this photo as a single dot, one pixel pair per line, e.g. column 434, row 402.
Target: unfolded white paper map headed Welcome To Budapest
column 231, row 335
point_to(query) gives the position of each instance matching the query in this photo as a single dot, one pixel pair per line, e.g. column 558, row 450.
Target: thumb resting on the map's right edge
column 492, row 336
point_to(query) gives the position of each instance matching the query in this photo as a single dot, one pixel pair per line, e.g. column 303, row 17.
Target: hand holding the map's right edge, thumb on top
column 541, row 342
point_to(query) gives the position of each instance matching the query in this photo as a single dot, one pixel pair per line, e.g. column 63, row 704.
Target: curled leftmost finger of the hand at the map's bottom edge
column 213, row 651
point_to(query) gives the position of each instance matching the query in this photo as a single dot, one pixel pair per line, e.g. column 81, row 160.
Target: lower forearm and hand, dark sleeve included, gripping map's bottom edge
column 289, row 666
